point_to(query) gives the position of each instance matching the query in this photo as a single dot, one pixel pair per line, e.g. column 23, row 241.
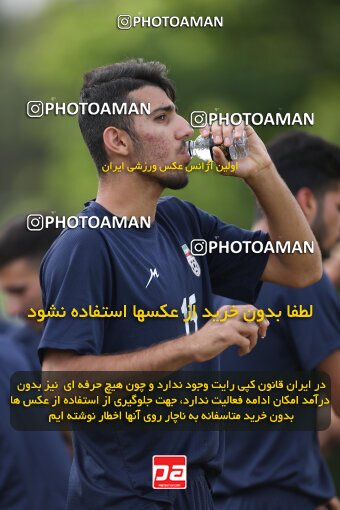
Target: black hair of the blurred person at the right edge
column 304, row 160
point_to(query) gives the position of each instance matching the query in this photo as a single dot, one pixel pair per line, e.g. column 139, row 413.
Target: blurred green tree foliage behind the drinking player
column 270, row 56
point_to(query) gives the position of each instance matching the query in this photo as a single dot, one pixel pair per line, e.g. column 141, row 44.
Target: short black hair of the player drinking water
column 113, row 83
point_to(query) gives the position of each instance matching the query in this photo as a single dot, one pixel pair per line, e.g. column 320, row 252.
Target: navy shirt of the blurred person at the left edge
column 34, row 466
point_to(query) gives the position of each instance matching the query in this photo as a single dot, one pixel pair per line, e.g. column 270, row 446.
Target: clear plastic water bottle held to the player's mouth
column 202, row 148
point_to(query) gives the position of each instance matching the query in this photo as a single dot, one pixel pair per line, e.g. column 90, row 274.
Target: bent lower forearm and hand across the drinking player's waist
column 171, row 355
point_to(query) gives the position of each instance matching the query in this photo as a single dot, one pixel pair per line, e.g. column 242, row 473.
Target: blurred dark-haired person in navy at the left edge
column 34, row 465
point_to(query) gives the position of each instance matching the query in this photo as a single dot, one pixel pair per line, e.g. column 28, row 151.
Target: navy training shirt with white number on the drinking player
column 147, row 267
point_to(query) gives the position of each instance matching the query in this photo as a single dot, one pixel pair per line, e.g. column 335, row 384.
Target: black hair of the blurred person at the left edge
column 16, row 241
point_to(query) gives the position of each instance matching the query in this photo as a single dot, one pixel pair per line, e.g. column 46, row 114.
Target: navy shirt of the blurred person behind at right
column 283, row 459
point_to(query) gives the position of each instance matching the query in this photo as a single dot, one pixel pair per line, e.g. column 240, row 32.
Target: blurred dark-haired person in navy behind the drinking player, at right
column 274, row 470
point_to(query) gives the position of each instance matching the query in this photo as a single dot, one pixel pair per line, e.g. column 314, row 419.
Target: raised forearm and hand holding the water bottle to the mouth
column 285, row 218
